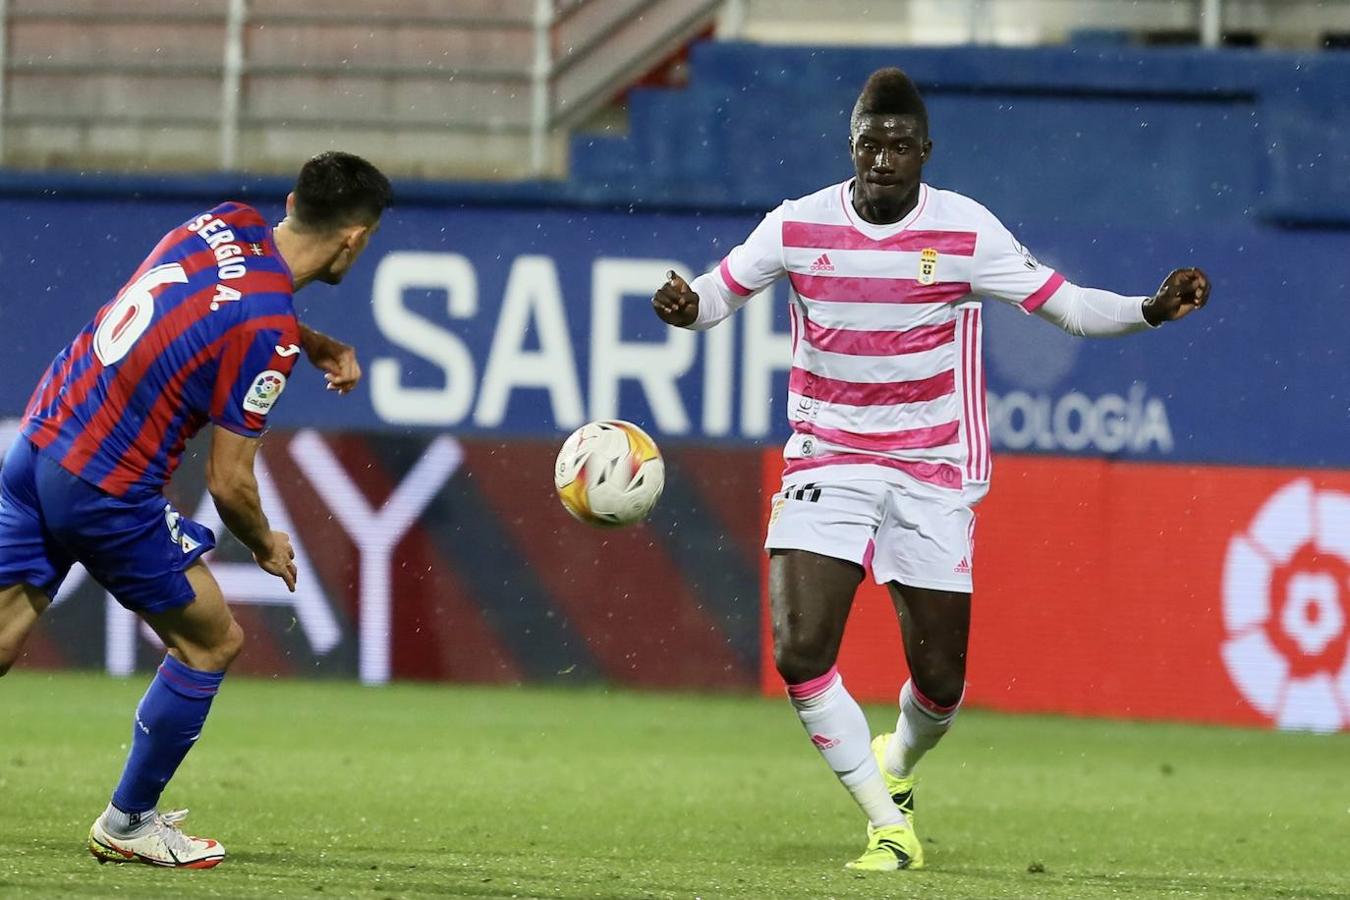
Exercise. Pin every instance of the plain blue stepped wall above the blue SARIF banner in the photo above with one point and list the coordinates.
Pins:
(1069, 134)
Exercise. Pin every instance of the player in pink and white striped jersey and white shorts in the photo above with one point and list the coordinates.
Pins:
(890, 447)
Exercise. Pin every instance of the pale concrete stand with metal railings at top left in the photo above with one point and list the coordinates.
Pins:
(473, 88)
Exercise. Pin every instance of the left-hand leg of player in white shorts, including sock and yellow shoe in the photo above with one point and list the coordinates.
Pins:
(811, 597)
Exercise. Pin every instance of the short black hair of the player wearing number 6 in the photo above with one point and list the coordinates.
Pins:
(335, 190)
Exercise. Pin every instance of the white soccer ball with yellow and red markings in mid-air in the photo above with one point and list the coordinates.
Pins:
(610, 473)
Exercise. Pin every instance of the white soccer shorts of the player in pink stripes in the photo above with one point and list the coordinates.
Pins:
(911, 532)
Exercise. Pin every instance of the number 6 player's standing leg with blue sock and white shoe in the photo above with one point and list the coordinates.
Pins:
(203, 640)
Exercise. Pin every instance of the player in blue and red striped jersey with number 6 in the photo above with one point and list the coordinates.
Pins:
(205, 333)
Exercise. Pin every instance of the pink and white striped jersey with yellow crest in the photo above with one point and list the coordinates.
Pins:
(888, 374)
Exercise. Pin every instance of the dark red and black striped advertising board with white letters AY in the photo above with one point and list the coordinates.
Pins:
(431, 558)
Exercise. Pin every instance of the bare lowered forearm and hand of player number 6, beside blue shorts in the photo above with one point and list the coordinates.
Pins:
(230, 478)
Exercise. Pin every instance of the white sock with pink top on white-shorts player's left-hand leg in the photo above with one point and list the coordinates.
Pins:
(838, 728)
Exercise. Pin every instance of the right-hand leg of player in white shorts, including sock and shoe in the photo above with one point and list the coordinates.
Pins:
(936, 627)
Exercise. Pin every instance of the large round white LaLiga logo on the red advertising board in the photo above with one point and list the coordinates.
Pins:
(1287, 609)
